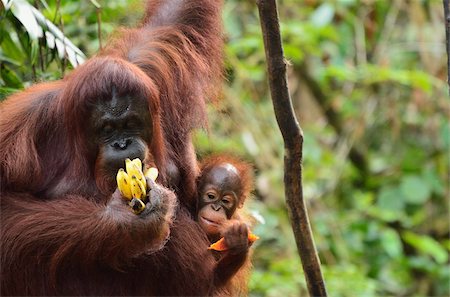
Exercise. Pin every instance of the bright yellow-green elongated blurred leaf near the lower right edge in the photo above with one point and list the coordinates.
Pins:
(426, 245)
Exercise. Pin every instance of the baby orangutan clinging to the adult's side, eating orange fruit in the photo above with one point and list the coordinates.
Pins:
(223, 185)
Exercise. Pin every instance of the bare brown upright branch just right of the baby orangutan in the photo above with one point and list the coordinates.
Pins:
(293, 143)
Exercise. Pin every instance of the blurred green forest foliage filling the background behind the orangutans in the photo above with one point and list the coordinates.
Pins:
(365, 75)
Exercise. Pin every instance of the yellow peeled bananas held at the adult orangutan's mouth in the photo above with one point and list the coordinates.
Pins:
(132, 183)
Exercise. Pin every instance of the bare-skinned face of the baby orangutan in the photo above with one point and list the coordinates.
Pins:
(219, 190)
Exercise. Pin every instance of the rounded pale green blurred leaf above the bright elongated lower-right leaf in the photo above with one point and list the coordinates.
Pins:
(415, 190)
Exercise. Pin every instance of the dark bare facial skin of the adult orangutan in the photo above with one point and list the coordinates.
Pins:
(122, 128)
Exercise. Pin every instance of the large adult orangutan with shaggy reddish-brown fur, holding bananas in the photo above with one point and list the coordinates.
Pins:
(65, 229)
